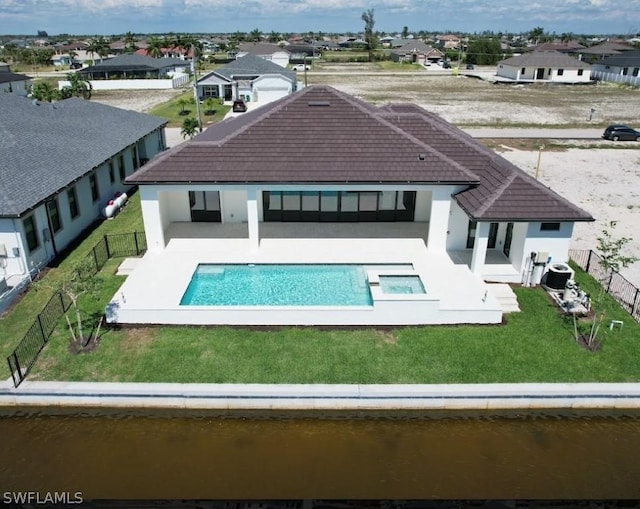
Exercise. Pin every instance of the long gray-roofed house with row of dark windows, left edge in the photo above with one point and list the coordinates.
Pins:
(60, 165)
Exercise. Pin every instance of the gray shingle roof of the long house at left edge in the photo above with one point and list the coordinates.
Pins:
(46, 146)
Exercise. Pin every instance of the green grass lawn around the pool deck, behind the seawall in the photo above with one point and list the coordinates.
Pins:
(535, 345)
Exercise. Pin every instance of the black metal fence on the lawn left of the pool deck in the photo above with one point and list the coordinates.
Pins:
(26, 353)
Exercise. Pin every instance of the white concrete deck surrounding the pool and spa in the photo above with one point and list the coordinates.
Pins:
(153, 290)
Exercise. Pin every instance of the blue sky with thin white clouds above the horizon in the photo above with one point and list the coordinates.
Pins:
(105, 17)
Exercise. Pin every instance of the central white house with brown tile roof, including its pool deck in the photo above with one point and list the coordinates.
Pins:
(452, 209)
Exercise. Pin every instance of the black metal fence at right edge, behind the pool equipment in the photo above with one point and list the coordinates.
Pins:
(624, 292)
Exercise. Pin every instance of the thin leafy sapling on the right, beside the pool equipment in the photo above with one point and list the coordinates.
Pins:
(611, 261)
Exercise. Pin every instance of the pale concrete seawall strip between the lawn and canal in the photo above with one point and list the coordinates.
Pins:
(526, 396)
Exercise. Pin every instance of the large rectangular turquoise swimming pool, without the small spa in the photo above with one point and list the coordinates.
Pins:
(278, 285)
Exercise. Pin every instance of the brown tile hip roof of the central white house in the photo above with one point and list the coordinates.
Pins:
(321, 135)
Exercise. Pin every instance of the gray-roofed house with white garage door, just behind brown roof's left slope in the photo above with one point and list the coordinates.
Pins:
(251, 78)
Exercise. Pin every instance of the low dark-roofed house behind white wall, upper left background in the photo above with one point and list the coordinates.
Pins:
(135, 66)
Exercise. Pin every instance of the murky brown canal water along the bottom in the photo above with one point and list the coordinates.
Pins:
(203, 455)
